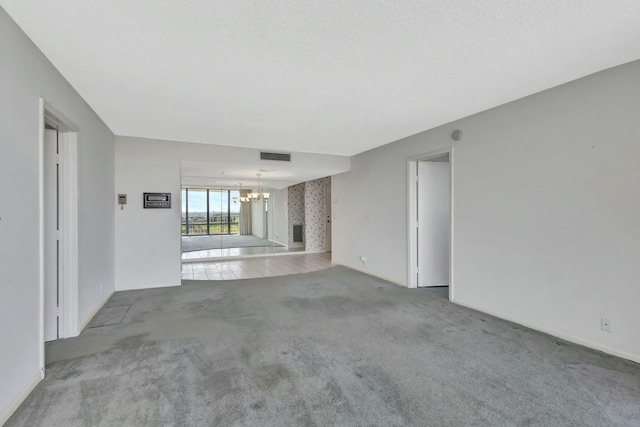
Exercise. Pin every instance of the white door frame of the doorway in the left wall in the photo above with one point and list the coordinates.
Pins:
(68, 214)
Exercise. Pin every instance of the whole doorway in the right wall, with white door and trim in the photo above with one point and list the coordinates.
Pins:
(430, 219)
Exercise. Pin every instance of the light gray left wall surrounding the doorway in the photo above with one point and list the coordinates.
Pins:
(26, 75)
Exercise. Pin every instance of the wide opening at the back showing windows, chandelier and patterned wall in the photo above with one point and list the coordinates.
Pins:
(256, 217)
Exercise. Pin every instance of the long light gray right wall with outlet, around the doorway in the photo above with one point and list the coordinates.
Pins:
(546, 208)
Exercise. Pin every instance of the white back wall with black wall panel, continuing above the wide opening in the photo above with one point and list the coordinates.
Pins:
(148, 240)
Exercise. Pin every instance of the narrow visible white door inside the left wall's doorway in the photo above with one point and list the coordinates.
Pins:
(51, 242)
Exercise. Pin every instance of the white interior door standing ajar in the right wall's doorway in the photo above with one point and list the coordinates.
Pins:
(433, 223)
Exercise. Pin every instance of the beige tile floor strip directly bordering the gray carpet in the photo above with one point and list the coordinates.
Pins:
(252, 268)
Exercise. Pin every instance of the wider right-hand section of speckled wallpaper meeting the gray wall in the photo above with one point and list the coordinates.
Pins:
(314, 213)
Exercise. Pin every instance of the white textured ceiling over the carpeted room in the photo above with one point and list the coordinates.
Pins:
(331, 76)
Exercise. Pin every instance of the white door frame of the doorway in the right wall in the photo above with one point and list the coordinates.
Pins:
(412, 215)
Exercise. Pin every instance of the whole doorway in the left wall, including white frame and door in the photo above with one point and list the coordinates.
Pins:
(58, 227)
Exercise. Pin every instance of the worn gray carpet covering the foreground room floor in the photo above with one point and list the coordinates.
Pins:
(334, 347)
